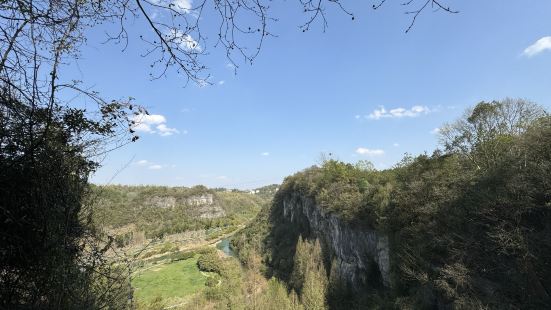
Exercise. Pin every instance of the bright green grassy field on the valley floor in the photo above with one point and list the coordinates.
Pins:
(169, 281)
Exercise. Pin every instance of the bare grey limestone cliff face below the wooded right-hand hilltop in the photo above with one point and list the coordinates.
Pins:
(354, 249)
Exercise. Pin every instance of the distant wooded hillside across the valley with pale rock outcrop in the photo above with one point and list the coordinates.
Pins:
(158, 211)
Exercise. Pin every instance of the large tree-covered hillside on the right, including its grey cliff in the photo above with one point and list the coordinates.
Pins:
(467, 227)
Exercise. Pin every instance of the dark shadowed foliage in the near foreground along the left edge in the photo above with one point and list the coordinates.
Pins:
(51, 254)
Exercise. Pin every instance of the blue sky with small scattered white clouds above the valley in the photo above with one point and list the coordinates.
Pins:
(363, 89)
